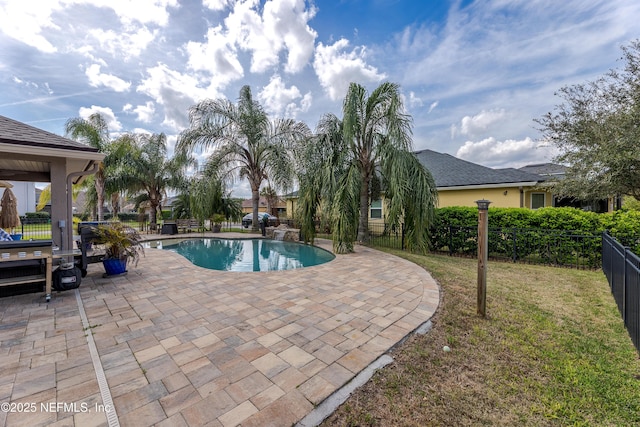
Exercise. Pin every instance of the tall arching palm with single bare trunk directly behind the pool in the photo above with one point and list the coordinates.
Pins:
(245, 140)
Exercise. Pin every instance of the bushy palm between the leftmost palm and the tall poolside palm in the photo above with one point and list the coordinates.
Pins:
(144, 170)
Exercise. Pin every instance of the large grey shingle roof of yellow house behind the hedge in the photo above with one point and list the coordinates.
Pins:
(449, 171)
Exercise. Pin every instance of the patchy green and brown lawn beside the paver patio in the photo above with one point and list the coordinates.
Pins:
(552, 351)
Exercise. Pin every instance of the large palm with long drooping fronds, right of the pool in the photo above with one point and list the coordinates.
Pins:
(369, 148)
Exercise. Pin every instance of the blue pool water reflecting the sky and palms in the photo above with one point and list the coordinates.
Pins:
(248, 254)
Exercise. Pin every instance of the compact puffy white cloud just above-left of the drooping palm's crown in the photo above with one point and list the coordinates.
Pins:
(336, 68)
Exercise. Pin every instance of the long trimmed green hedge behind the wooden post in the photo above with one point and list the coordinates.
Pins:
(554, 235)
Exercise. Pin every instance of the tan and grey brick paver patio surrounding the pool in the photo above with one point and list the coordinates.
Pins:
(181, 345)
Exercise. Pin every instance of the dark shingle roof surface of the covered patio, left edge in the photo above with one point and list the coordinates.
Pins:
(14, 132)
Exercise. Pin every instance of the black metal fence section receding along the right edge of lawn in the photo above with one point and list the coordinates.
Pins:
(622, 268)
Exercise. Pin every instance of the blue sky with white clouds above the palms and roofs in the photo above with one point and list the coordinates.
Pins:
(473, 74)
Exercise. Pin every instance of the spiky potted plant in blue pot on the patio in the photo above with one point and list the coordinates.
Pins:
(122, 245)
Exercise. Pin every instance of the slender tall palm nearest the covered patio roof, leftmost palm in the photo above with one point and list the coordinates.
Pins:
(94, 132)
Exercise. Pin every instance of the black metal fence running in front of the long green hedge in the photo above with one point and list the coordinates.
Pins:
(533, 246)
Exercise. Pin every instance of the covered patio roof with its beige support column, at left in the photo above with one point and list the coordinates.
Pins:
(34, 155)
